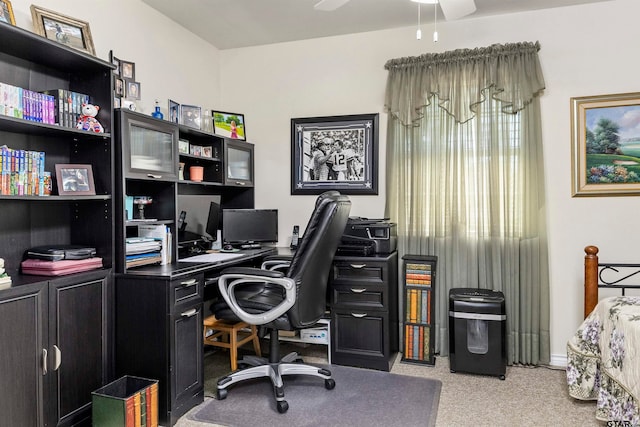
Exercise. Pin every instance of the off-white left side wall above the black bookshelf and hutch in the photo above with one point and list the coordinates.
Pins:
(171, 62)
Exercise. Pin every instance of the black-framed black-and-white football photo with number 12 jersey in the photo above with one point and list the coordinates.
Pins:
(335, 153)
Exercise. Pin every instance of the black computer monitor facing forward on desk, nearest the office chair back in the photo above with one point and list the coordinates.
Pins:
(243, 226)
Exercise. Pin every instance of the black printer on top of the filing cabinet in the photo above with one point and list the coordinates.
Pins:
(365, 237)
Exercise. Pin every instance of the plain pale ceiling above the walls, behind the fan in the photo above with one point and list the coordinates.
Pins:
(231, 24)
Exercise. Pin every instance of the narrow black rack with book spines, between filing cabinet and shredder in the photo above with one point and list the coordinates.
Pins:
(419, 274)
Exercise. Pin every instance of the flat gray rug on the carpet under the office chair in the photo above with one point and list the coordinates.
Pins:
(362, 397)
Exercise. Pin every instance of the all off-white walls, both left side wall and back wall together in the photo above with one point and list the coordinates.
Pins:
(585, 50)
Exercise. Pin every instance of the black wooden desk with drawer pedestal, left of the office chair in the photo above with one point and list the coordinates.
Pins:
(159, 322)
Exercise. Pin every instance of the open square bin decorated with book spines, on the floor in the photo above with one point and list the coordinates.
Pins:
(127, 401)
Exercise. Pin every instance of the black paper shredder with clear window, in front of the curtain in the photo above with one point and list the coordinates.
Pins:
(477, 332)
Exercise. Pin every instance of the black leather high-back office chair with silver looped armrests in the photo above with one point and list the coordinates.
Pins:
(288, 301)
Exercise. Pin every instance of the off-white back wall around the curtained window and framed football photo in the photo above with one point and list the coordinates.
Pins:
(585, 50)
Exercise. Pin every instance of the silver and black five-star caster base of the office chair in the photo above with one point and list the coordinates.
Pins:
(275, 370)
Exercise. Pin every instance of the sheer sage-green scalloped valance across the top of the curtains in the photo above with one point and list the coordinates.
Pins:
(460, 79)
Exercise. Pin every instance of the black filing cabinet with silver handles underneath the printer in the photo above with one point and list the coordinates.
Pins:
(364, 311)
